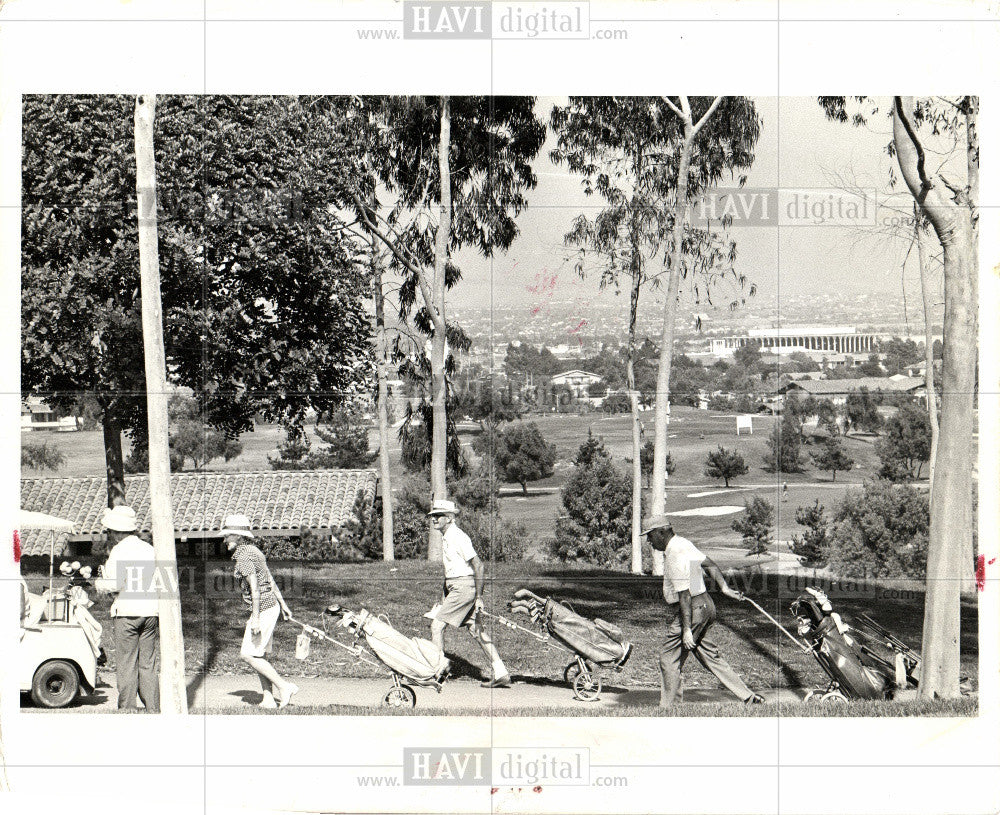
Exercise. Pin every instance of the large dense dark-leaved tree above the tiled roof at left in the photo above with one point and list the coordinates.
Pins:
(261, 302)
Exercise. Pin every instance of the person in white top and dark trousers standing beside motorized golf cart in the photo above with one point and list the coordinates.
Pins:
(135, 614)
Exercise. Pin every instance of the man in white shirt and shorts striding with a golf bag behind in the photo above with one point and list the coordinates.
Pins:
(463, 590)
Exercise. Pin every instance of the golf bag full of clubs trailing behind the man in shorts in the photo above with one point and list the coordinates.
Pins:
(597, 640)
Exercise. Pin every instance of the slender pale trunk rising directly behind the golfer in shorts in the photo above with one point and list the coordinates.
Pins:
(439, 437)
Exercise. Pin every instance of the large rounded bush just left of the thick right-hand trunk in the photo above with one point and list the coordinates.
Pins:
(880, 530)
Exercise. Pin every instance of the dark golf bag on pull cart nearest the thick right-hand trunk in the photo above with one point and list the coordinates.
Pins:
(855, 670)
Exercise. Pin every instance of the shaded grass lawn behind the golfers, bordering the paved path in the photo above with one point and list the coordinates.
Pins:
(214, 618)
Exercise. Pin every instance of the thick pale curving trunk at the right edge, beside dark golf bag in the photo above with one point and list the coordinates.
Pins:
(951, 502)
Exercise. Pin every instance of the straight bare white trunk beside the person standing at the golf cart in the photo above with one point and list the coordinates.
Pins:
(173, 692)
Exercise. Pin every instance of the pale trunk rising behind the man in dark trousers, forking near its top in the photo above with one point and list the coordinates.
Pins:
(662, 410)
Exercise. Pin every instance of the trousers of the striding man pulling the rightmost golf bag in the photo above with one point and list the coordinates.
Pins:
(707, 652)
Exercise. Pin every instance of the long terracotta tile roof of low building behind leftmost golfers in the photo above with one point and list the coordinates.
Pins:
(274, 501)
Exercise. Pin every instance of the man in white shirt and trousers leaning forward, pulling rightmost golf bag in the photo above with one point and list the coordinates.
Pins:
(692, 613)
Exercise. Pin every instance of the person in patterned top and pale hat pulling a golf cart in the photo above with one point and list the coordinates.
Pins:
(262, 595)
